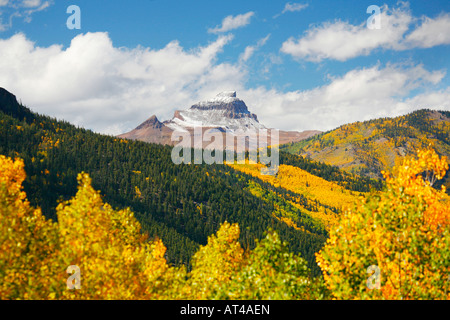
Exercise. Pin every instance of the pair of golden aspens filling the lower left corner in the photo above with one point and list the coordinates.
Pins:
(115, 259)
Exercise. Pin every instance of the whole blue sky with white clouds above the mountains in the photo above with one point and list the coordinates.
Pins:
(298, 65)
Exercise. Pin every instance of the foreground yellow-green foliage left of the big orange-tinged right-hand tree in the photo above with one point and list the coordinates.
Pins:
(117, 261)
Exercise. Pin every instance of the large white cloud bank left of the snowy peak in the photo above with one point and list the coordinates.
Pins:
(108, 89)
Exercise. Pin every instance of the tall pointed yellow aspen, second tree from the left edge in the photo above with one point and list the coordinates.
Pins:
(115, 259)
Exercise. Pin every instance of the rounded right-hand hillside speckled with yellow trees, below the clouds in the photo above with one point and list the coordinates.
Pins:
(369, 147)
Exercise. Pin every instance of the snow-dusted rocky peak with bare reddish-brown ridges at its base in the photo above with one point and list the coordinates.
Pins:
(224, 113)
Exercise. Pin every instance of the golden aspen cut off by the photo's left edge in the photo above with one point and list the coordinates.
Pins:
(27, 241)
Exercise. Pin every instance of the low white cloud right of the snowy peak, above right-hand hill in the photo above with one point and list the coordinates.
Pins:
(359, 95)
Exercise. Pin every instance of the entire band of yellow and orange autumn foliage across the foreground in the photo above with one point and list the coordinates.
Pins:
(402, 234)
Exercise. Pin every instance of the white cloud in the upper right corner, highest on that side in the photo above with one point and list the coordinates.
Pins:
(340, 40)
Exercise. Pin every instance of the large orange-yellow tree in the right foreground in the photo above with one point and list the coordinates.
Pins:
(403, 232)
